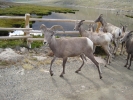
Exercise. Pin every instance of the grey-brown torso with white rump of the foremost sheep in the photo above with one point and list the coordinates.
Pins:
(73, 46)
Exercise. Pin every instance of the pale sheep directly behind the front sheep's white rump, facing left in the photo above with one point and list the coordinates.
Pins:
(98, 39)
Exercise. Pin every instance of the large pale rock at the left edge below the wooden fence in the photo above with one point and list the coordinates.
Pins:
(9, 56)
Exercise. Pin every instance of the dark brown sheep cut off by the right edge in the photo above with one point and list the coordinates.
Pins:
(128, 39)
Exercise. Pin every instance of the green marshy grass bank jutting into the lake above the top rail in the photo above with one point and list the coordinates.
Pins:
(21, 9)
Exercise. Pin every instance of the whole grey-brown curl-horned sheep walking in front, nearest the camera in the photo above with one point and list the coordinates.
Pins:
(68, 47)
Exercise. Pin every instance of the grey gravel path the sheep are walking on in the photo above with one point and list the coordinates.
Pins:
(16, 83)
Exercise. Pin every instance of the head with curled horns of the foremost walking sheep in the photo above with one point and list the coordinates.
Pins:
(49, 32)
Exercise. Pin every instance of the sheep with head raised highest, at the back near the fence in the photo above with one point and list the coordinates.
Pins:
(114, 30)
